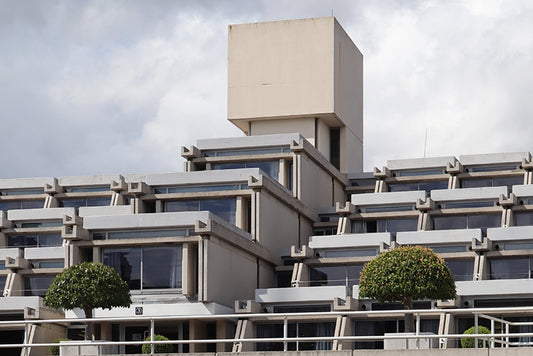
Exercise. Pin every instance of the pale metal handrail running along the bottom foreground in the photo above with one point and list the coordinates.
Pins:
(493, 338)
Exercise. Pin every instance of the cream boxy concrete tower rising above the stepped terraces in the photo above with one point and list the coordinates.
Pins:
(302, 76)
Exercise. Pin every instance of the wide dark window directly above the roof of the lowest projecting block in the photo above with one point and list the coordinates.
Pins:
(223, 208)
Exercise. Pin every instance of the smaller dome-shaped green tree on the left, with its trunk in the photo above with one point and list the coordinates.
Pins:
(87, 286)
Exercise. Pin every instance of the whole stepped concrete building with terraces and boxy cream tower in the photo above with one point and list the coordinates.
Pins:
(280, 220)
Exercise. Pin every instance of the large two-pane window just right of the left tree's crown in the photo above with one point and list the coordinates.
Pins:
(147, 267)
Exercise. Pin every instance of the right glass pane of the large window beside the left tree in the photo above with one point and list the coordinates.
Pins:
(162, 275)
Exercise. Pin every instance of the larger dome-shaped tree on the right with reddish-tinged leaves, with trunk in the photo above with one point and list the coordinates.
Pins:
(405, 274)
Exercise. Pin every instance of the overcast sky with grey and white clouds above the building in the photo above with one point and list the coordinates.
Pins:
(96, 87)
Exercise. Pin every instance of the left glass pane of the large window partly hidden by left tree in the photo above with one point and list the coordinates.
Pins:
(127, 263)
